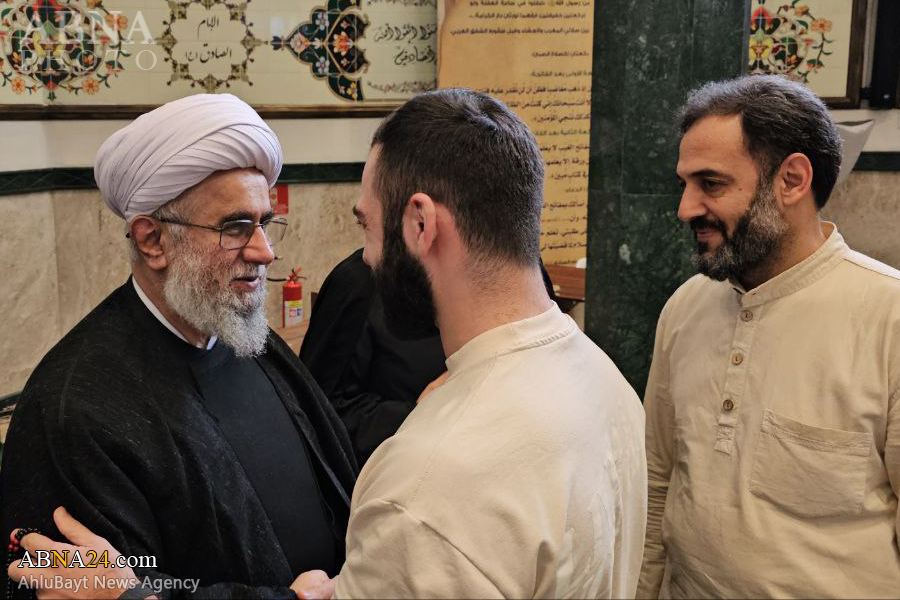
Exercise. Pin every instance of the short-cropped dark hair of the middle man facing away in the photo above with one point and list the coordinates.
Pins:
(471, 153)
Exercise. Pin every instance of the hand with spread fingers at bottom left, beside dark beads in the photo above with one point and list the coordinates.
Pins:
(78, 583)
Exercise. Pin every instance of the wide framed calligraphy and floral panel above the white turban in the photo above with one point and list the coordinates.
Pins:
(119, 58)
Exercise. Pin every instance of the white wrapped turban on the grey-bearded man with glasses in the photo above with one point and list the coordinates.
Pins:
(176, 146)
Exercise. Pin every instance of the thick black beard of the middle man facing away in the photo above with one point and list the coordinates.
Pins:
(405, 291)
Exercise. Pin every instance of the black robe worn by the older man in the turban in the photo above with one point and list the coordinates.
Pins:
(120, 423)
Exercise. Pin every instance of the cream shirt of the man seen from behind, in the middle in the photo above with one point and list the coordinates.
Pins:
(523, 476)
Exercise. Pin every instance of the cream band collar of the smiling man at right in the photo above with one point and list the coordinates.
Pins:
(801, 275)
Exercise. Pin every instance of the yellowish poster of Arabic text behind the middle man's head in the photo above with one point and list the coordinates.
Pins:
(535, 56)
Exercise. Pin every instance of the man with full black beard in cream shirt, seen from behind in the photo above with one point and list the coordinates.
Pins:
(523, 475)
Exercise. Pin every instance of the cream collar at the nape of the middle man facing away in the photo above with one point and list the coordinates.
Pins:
(519, 335)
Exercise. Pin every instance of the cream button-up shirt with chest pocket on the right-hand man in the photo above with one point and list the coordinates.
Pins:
(773, 435)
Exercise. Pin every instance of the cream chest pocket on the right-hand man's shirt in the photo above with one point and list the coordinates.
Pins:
(810, 471)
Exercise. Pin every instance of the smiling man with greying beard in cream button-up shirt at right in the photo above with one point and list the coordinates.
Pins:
(773, 431)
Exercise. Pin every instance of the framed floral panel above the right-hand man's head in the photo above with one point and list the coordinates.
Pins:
(817, 42)
